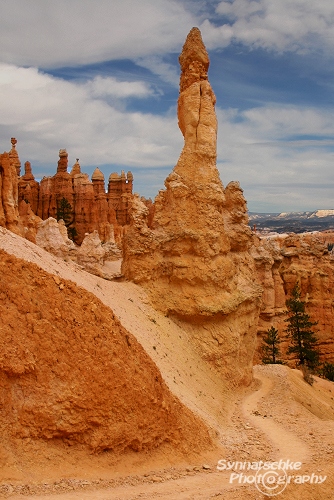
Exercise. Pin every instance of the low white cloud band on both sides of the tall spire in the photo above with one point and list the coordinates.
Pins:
(277, 153)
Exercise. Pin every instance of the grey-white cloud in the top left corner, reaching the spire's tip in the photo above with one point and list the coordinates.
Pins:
(75, 32)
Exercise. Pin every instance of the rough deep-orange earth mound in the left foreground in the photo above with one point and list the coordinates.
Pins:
(70, 371)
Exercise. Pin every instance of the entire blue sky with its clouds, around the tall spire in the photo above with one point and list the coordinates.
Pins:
(101, 80)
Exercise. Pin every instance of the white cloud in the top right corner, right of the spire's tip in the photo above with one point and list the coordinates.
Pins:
(284, 25)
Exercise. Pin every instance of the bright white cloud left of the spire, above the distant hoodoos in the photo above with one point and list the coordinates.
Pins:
(46, 114)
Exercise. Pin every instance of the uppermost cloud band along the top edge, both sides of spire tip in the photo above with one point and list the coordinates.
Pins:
(77, 32)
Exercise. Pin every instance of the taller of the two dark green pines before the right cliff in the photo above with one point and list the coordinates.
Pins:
(303, 338)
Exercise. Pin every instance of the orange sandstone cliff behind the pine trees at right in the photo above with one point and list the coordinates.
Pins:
(281, 262)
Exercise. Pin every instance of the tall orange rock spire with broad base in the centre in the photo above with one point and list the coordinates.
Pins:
(194, 257)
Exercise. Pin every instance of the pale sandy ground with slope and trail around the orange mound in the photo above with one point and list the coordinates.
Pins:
(279, 418)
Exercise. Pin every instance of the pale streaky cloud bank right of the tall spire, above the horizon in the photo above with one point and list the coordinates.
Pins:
(279, 155)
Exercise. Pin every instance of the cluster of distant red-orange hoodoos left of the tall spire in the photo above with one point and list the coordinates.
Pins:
(92, 208)
